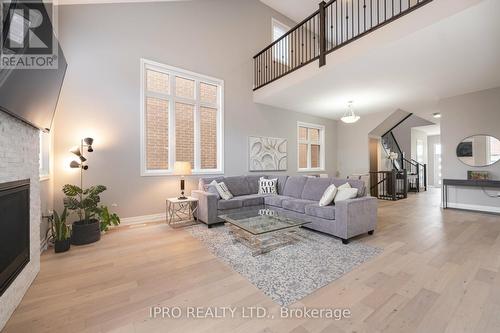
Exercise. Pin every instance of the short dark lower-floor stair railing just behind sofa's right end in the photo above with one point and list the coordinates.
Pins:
(389, 185)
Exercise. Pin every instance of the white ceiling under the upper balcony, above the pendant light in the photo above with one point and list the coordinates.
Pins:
(454, 56)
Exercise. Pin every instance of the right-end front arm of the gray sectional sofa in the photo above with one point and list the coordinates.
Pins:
(355, 216)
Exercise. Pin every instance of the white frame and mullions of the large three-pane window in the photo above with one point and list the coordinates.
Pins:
(172, 72)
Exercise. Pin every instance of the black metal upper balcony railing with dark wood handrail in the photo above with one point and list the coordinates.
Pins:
(333, 25)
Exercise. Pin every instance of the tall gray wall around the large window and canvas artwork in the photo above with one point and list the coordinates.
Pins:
(100, 97)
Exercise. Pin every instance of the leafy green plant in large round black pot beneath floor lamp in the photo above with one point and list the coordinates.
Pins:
(85, 203)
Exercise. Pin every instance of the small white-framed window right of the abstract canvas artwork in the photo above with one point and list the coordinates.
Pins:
(311, 147)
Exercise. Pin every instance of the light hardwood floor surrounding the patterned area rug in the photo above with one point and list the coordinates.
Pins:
(439, 272)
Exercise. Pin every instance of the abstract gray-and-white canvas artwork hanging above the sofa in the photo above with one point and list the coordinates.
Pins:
(267, 154)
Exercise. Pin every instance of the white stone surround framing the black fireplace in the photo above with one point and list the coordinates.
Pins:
(19, 158)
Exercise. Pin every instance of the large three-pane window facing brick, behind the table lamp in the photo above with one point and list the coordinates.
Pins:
(182, 115)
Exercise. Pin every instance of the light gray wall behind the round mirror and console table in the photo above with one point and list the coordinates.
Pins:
(463, 116)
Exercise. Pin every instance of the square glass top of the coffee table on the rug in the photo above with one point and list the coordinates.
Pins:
(261, 220)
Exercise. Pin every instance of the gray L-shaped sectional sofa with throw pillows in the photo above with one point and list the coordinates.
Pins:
(298, 197)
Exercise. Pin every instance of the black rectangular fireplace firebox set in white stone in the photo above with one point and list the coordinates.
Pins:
(14, 230)
